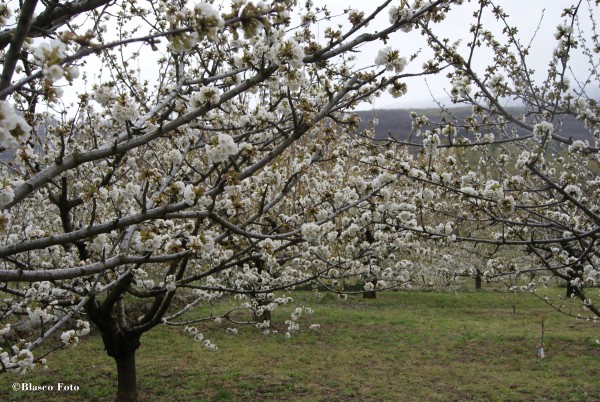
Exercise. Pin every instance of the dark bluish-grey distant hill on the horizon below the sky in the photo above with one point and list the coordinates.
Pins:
(397, 123)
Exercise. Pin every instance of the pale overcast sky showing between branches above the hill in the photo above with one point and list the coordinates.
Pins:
(524, 14)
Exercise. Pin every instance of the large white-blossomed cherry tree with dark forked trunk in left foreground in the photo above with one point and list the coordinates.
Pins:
(162, 148)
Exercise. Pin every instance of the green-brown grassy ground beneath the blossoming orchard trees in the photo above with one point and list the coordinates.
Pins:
(407, 346)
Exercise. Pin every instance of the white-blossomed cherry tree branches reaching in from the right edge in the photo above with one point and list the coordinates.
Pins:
(514, 177)
